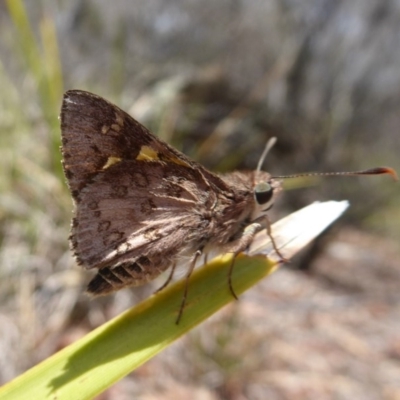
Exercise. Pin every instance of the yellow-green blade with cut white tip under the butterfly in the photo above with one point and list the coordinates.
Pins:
(93, 363)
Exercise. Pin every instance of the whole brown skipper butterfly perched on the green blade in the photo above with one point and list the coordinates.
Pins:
(142, 207)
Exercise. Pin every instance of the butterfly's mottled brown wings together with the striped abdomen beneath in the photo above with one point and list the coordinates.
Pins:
(137, 199)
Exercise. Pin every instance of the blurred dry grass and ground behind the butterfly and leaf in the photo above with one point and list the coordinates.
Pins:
(216, 80)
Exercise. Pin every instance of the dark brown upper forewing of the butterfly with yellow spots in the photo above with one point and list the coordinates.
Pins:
(96, 133)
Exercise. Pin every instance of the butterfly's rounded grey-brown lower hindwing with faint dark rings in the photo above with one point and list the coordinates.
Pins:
(134, 209)
